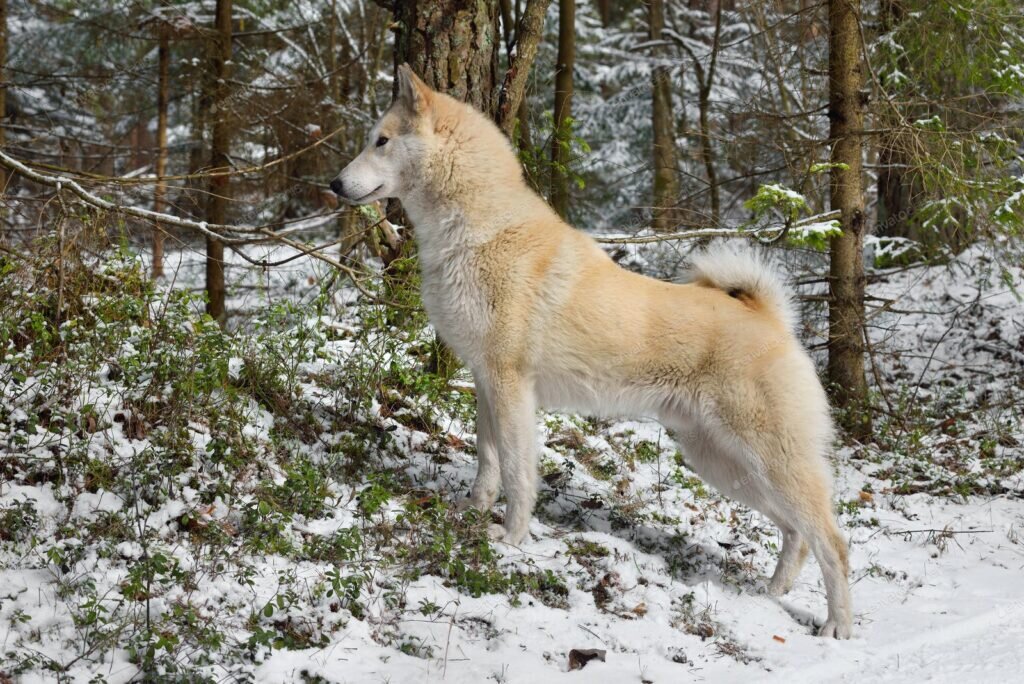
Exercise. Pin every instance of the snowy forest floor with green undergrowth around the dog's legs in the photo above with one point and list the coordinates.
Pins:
(275, 505)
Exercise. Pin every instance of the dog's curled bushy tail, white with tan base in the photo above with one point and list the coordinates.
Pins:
(741, 272)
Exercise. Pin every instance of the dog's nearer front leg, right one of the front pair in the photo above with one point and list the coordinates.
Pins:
(513, 404)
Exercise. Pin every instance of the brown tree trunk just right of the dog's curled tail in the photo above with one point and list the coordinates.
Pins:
(846, 312)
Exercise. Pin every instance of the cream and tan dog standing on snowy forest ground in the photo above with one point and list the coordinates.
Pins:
(545, 319)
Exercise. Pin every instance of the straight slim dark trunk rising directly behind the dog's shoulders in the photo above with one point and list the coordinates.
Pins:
(564, 107)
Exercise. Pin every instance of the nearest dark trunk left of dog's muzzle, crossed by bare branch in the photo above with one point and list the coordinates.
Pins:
(217, 208)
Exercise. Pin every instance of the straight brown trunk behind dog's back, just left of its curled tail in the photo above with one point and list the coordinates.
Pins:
(666, 174)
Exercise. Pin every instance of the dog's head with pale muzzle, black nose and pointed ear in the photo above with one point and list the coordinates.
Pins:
(400, 146)
